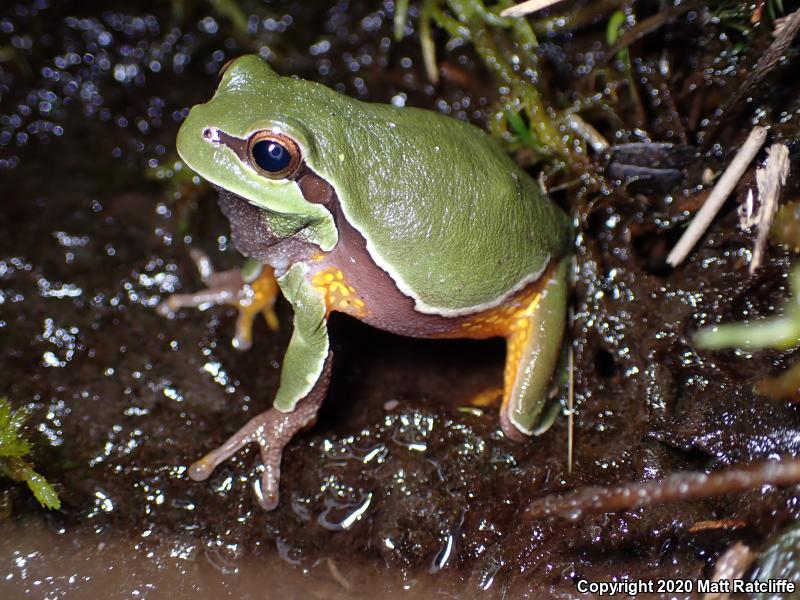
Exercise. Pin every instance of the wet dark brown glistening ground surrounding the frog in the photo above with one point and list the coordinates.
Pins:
(401, 486)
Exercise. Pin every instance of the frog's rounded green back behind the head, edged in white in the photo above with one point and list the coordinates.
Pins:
(453, 220)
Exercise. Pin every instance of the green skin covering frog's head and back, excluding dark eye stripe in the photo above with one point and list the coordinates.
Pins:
(456, 223)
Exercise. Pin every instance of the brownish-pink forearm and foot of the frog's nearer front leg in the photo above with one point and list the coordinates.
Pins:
(272, 431)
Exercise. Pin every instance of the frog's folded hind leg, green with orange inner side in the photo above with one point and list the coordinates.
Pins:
(533, 350)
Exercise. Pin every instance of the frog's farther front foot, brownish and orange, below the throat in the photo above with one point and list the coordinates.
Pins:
(250, 296)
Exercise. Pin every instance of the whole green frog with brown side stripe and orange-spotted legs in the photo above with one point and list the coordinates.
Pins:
(411, 221)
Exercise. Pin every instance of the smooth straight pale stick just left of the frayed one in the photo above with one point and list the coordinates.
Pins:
(717, 197)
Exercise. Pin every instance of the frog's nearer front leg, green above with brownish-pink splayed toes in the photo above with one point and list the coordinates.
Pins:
(303, 385)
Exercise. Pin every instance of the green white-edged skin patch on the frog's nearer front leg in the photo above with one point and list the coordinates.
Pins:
(308, 348)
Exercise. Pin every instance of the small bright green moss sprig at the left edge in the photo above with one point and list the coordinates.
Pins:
(13, 449)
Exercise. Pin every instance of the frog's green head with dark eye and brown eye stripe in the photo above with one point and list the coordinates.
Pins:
(250, 141)
